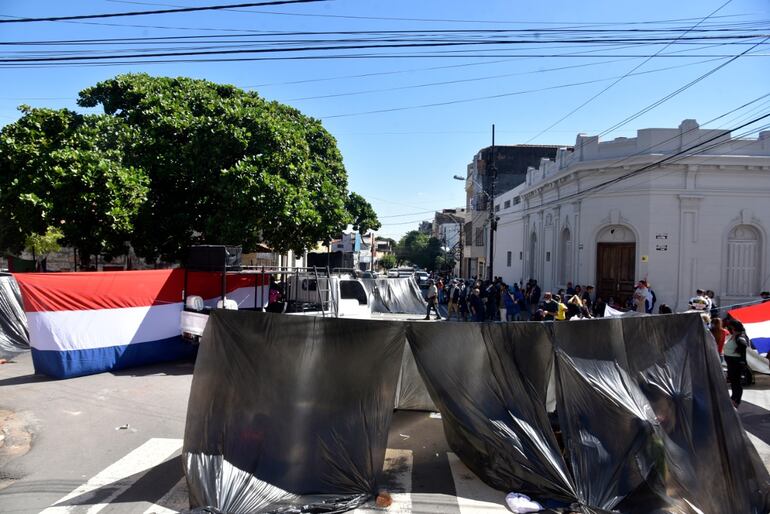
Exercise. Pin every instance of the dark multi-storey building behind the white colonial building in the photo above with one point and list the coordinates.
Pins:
(509, 170)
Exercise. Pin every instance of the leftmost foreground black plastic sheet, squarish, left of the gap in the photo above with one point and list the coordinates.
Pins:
(290, 411)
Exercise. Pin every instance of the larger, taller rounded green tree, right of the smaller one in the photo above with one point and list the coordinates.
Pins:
(226, 166)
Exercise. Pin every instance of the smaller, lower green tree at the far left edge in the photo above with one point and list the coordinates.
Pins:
(63, 172)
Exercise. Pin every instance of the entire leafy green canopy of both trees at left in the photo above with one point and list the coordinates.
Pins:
(174, 162)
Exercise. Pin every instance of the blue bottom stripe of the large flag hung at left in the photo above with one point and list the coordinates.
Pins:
(75, 363)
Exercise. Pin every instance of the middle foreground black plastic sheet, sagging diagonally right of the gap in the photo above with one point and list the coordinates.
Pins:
(489, 382)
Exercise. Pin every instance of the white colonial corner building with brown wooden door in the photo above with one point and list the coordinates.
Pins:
(685, 208)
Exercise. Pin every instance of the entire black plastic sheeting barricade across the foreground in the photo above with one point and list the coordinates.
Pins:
(287, 412)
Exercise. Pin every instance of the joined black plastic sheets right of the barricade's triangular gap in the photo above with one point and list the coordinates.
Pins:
(645, 419)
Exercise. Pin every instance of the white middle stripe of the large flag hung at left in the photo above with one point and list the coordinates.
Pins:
(102, 328)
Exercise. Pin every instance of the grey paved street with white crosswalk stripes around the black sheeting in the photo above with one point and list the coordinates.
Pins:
(111, 443)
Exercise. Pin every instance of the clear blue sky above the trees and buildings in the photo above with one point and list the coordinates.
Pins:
(440, 109)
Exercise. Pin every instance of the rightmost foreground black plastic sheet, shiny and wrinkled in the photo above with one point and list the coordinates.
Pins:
(650, 426)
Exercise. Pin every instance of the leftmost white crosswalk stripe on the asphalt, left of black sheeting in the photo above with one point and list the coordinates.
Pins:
(117, 477)
